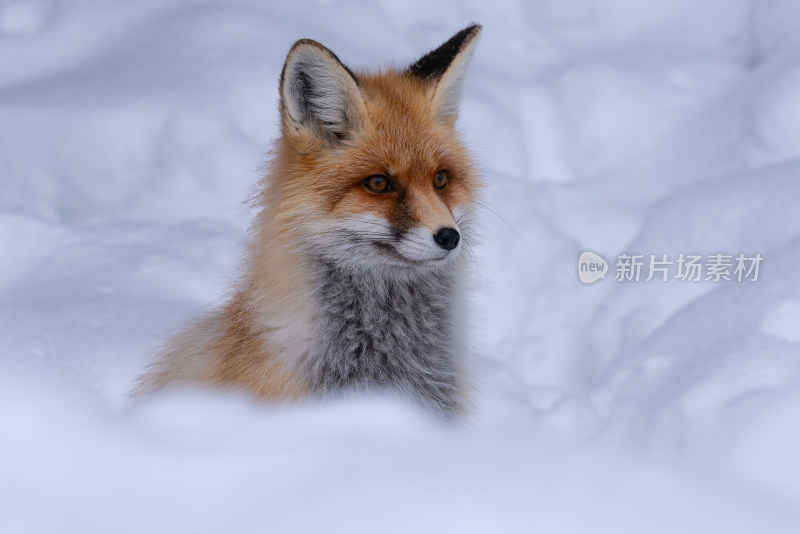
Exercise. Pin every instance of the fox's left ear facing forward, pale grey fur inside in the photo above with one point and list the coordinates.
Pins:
(319, 94)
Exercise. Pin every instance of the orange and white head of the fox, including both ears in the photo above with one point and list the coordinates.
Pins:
(371, 171)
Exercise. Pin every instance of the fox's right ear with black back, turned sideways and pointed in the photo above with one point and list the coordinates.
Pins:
(446, 67)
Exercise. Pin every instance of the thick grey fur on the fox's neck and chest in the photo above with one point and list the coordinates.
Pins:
(378, 332)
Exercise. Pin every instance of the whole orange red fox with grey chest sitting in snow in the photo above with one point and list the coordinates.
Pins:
(352, 276)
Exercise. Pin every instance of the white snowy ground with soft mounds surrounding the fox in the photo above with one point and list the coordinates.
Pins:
(131, 132)
